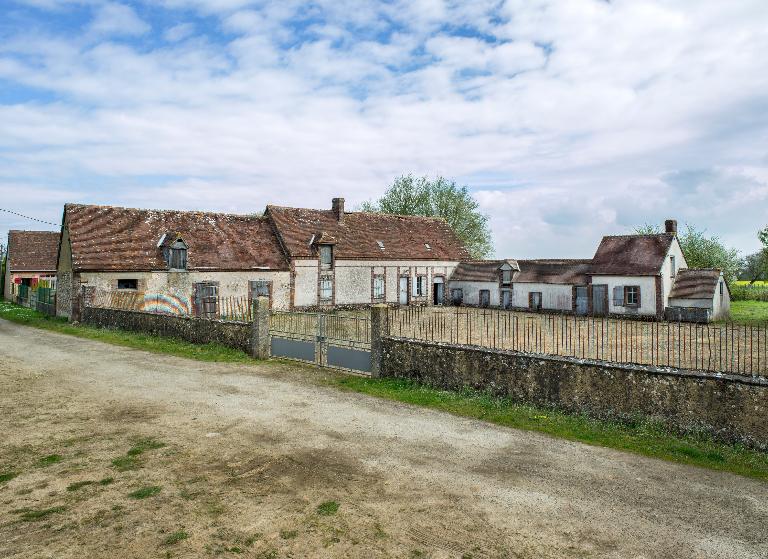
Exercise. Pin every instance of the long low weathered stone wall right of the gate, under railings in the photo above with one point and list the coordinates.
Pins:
(730, 407)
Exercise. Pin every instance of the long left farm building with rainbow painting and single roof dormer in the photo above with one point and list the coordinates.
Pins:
(178, 262)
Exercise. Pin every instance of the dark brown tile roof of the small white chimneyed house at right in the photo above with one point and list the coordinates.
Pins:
(631, 255)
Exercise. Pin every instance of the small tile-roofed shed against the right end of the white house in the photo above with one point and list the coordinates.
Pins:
(699, 295)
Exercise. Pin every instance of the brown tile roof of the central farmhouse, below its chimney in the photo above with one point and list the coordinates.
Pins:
(403, 237)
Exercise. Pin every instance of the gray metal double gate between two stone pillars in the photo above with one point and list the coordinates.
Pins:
(330, 340)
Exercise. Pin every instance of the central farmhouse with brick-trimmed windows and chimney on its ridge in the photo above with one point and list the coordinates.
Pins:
(340, 258)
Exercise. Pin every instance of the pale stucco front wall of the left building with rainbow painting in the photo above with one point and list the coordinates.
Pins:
(231, 284)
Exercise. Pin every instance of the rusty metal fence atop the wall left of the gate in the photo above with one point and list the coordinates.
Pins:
(236, 309)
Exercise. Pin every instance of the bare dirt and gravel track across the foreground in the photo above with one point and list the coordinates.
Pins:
(251, 451)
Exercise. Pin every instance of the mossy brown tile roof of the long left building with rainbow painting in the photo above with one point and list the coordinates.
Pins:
(108, 238)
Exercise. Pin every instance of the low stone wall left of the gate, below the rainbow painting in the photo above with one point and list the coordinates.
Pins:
(195, 330)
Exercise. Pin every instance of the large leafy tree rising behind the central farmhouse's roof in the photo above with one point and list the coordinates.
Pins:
(409, 195)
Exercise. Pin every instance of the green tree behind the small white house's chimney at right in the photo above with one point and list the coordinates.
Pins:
(701, 251)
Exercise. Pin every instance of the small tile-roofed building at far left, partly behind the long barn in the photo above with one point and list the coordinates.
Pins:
(31, 262)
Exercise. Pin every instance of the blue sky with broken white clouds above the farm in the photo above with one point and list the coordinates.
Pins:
(567, 120)
